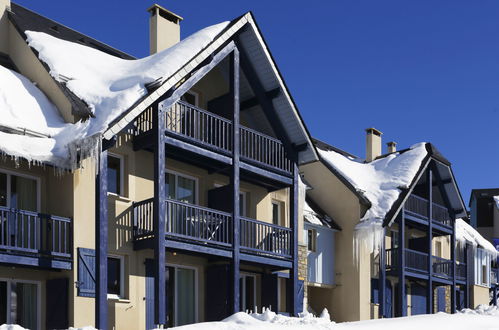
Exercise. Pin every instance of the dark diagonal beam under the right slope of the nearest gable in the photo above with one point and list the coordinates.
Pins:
(265, 103)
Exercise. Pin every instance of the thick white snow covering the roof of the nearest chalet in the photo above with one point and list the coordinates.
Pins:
(108, 84)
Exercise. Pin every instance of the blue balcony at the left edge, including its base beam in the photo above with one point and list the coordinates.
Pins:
(35, 239)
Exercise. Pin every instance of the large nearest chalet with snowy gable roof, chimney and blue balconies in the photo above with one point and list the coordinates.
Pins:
(145, 192)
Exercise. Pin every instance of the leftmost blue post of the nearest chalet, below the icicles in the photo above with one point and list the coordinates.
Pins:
(101, 237)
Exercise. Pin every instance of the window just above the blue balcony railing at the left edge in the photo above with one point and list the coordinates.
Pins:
(19, 192)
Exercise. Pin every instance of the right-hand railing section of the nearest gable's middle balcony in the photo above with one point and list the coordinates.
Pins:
(259, 236)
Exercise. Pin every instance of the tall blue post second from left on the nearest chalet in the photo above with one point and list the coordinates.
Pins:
(159, 216)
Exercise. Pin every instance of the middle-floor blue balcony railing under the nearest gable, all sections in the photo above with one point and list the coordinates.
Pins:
(203, 226)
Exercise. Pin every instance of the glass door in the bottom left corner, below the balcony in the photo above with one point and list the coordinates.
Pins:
(19, 303)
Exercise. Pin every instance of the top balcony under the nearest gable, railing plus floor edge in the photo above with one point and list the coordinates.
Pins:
(192, 129)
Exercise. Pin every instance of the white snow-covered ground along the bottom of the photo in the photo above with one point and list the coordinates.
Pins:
(483, 318)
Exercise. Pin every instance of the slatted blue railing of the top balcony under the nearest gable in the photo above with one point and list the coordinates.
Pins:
(212, 132)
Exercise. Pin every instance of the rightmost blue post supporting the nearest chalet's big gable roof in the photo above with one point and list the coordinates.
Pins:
(294, 241)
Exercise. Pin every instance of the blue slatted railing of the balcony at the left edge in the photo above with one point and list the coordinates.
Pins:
(35, 233)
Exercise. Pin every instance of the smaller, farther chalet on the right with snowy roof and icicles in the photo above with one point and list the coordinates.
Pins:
(405, 200)
